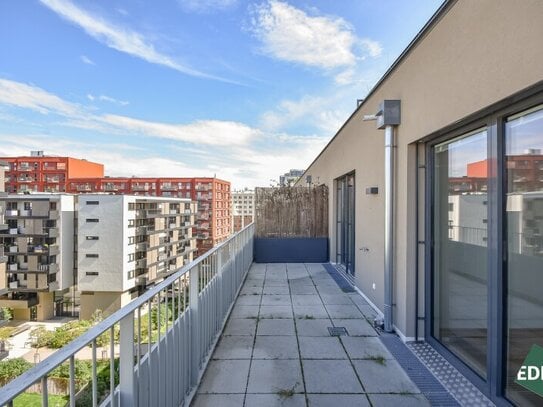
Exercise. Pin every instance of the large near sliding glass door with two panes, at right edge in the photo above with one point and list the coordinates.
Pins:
(485, 258)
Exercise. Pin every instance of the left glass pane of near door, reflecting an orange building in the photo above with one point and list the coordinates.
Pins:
(460, 247)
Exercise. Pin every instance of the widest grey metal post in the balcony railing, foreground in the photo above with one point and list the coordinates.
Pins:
(126, 362)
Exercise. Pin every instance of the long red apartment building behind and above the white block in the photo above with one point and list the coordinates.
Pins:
(213, 218)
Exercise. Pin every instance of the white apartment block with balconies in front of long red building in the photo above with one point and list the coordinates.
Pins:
(127, 243)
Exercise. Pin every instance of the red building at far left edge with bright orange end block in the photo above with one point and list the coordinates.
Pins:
(42, 173)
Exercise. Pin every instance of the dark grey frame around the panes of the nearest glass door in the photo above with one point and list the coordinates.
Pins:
(493, 119)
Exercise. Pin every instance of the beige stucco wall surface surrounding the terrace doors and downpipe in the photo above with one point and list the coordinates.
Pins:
(477, 54)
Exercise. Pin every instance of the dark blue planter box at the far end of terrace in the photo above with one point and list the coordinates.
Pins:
(291, 250)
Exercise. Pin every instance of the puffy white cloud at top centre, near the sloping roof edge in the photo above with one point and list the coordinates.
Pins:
(288, 33)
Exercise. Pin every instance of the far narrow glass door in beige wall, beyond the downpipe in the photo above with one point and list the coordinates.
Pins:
(345, 201)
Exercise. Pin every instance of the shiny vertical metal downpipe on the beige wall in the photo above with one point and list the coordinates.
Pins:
(390, 154)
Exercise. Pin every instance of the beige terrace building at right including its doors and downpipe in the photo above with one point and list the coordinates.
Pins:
(435, 209)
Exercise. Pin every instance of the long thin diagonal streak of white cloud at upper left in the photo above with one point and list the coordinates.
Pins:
(119, 38)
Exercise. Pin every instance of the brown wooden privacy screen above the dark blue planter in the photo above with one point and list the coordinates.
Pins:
(288, 212)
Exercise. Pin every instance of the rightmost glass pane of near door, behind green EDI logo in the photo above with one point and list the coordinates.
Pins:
(524, 171)
